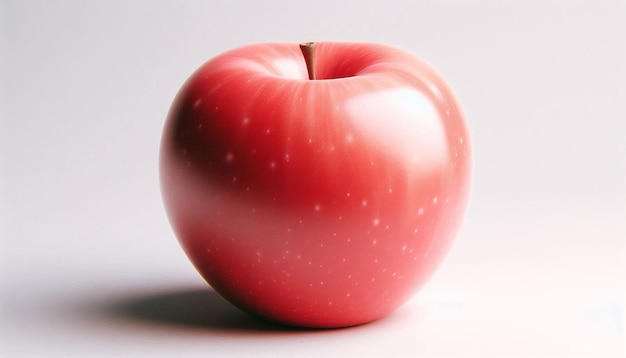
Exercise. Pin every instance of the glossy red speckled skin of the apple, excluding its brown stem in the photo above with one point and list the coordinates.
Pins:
(316, 203)
